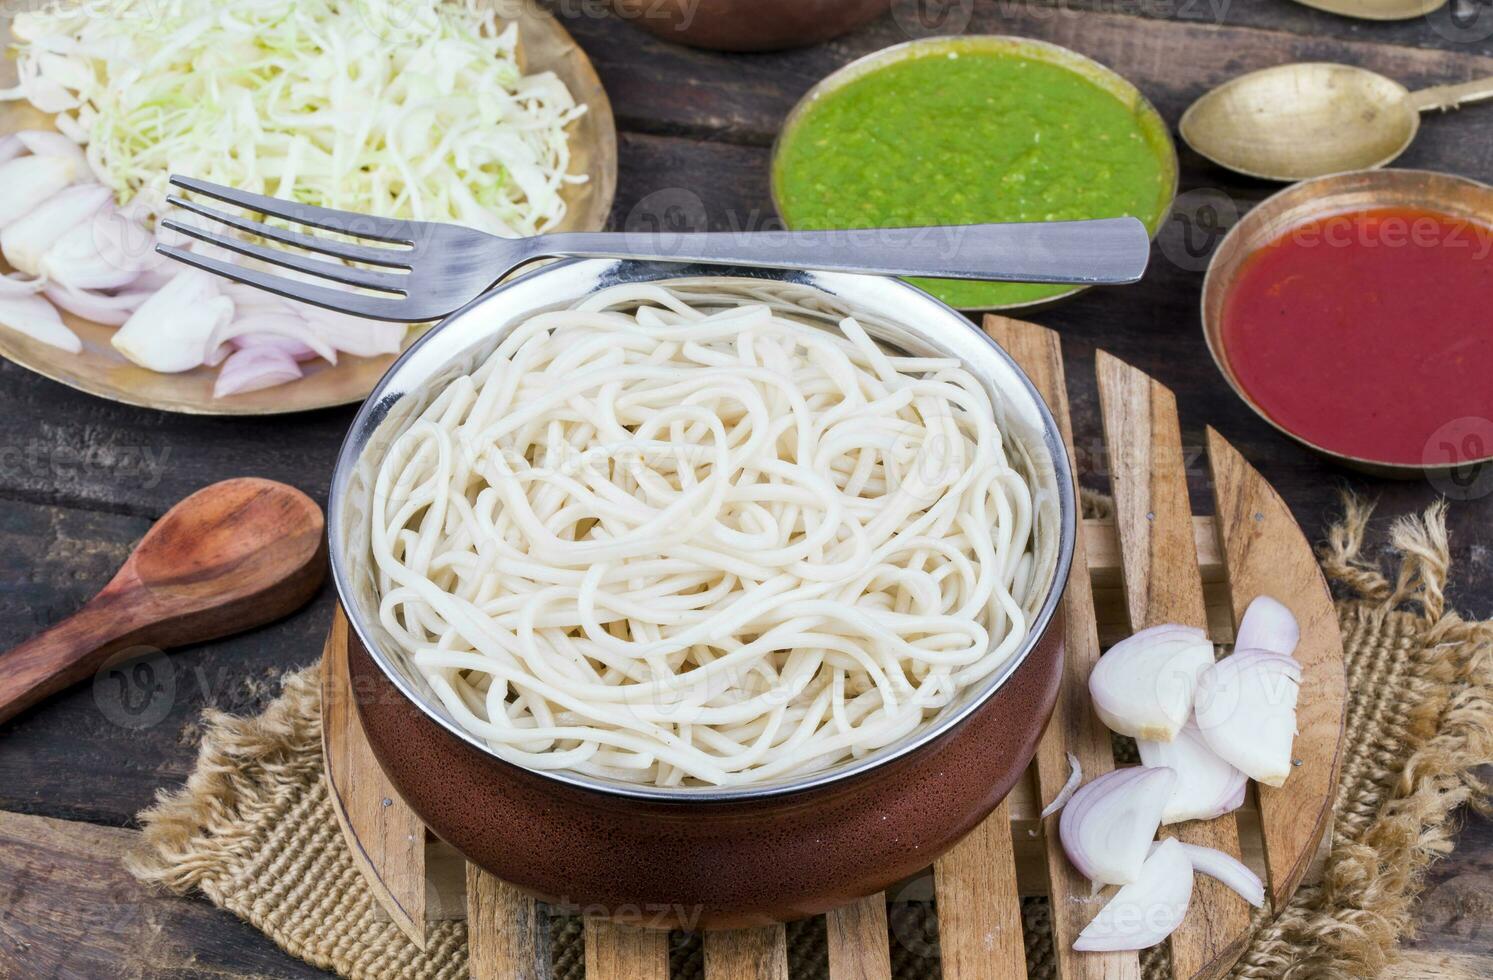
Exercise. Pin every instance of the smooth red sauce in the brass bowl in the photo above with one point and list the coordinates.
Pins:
(1368, 332)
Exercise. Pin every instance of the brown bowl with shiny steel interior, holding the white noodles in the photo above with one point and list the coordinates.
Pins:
(705, 857)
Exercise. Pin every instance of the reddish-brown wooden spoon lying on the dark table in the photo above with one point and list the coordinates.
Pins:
(231, 556)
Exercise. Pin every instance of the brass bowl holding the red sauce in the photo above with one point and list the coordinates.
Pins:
(1324, 198)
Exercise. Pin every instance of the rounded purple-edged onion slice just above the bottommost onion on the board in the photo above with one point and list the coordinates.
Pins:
(1110, 824)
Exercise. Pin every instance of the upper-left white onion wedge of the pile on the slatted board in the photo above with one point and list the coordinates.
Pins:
(1144, 685)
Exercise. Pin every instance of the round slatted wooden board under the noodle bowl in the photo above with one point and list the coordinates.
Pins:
(1155, 562)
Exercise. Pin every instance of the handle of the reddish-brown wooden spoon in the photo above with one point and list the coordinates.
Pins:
(66, 654)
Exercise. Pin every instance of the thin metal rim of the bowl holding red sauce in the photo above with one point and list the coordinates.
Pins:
(1261, 213)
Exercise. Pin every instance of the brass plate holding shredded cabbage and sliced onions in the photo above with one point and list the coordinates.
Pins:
(101, 370)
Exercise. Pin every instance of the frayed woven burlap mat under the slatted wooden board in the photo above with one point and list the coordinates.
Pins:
(255, 833)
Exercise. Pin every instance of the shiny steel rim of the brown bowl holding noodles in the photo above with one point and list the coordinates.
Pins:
(611, 273)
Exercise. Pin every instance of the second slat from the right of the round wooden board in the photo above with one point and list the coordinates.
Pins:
(1164, 585)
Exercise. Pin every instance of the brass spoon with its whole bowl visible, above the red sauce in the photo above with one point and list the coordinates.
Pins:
(1298, 122)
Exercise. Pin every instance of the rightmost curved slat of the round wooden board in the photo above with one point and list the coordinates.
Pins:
(1268, 555)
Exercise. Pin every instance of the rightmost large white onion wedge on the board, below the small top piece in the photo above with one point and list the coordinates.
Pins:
(1247, 712)
